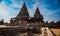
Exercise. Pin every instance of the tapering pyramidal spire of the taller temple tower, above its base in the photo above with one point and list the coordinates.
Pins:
(23, 12)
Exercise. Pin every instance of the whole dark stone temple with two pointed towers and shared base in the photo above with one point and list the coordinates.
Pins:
(23, 18)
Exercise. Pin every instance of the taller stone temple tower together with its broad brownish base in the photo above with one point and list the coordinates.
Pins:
(22, 17)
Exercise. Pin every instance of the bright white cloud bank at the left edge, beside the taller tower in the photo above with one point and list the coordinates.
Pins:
(6, 11)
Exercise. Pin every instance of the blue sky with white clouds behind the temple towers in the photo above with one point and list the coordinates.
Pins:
(50, 9)
